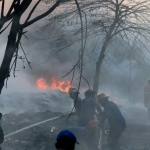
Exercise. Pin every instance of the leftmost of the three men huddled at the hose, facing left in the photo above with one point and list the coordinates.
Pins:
(73, 92)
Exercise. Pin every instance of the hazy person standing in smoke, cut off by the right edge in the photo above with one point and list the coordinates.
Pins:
(147, 97)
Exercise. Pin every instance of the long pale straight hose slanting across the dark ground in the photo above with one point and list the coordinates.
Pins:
(36, 124)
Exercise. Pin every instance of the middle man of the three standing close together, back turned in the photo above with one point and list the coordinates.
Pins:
(87, 108)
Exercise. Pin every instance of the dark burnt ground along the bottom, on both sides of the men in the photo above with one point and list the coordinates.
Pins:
(136, 136)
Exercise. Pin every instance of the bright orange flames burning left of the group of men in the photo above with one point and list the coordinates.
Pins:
(55, 84)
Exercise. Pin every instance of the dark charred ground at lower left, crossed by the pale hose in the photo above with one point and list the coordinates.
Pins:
(35, 138)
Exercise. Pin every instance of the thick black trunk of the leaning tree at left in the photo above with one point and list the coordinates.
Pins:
(11, 43)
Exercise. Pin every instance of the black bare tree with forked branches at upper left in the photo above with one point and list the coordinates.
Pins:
(14, 14)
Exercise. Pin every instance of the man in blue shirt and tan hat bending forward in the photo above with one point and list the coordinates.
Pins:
(115, 119)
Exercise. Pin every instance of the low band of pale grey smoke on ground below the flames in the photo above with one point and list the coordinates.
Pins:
(35, 102)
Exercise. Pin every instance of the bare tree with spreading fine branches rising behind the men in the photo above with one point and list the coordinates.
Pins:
(123, 19)
